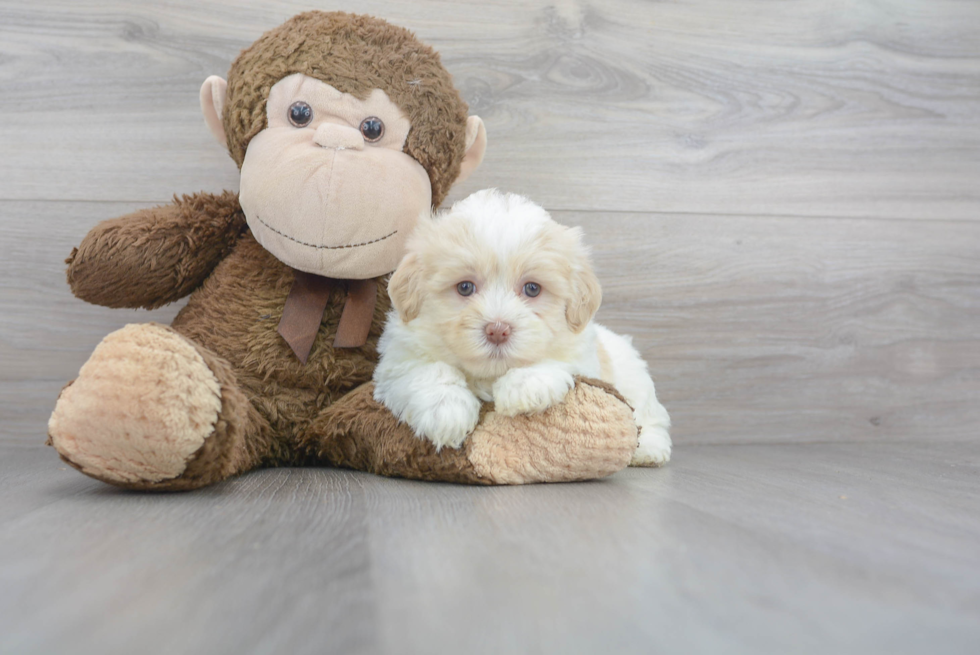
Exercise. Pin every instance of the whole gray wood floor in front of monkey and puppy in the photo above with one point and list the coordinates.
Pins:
(844, 548)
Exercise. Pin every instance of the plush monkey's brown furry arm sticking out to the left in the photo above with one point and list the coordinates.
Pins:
(155, 256)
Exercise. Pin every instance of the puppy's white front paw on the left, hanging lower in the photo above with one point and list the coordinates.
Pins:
(446, 416)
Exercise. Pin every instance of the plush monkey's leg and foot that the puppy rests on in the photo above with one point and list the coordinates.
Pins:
(590, 435)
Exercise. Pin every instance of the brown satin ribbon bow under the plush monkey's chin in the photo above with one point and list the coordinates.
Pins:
(307, 300)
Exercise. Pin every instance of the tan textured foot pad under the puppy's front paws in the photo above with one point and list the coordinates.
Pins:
(590, 435)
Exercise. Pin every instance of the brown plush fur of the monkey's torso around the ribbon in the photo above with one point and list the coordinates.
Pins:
(235, 313)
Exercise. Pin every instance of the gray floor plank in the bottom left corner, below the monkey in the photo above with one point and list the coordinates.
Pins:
(202, 593)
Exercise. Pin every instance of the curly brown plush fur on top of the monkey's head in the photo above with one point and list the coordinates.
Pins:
(354, 54)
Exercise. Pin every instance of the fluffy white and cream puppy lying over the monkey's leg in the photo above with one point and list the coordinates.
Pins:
(494, 301)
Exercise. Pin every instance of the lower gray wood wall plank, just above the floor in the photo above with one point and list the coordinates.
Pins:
(756, 329)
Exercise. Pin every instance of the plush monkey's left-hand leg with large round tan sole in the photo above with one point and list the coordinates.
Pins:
(151, 409)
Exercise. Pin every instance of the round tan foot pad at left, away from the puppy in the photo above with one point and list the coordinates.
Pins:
(143, 403)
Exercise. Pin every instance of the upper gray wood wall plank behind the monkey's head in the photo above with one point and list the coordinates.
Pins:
(806, 108)
